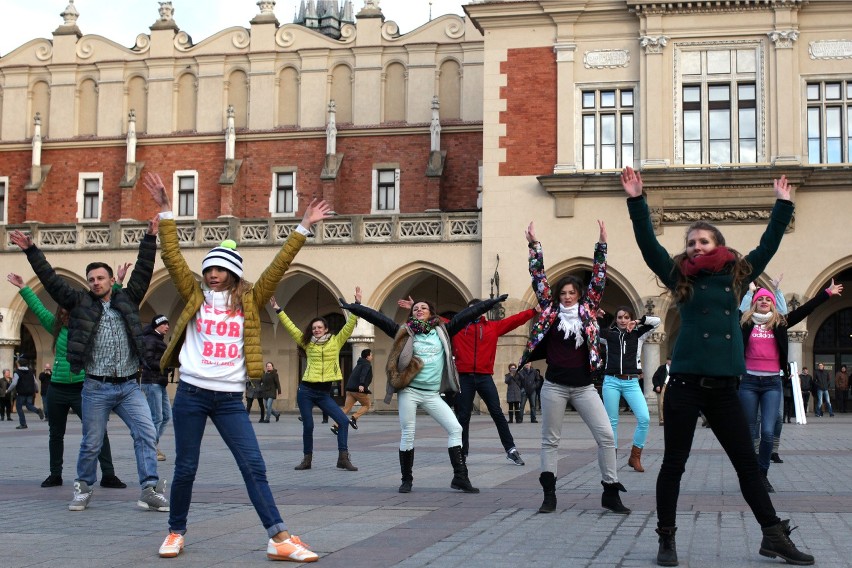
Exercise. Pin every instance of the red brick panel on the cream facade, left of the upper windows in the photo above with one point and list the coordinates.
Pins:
(530, 115)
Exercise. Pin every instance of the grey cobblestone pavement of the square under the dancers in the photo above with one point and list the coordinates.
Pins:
(358, 519)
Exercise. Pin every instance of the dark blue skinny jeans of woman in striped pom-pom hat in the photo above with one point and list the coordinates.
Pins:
(193, 406)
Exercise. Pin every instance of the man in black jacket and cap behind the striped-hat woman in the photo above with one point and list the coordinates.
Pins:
(154, 379)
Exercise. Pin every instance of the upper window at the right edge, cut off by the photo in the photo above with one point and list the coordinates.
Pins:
(829, 122)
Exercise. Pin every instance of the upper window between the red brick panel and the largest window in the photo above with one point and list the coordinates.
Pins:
(607, 122)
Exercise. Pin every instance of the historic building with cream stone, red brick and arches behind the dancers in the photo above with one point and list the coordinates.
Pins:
(436, 148)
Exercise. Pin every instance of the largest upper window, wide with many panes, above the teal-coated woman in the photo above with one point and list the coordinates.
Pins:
(719, 104)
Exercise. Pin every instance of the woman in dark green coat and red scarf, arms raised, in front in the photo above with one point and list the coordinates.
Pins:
(706, 280)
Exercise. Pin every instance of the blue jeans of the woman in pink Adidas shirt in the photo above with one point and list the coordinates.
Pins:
(765, 393)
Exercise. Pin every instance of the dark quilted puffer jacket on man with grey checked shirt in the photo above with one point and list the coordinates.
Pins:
(86, 309)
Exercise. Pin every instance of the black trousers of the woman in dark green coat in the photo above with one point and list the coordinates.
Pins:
(685, 397)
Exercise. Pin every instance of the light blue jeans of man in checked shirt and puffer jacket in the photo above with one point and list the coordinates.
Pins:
(126, 400)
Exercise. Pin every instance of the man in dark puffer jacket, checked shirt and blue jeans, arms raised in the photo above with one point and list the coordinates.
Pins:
(105, 338)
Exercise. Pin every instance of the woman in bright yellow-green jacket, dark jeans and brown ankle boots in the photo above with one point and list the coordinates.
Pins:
(322, 349)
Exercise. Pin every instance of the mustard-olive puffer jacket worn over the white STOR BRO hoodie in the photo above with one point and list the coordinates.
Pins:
(191, 293)
